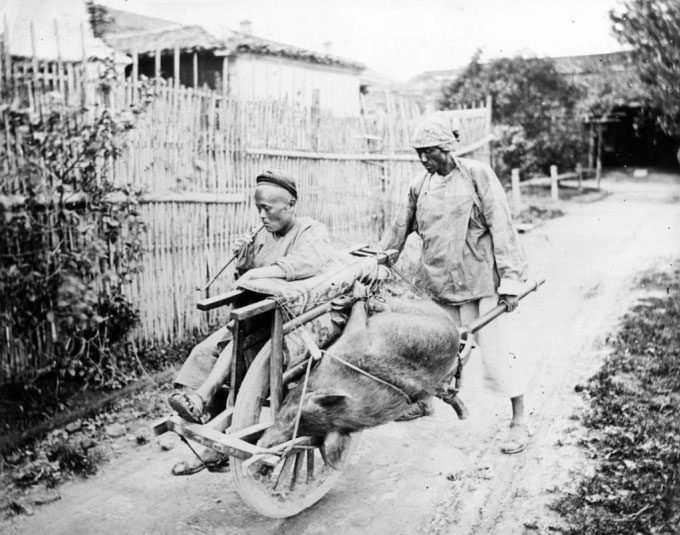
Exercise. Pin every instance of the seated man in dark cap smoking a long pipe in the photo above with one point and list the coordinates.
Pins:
(293, 248)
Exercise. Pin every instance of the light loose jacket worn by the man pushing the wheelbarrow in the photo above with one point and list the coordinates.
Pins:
(470, 247)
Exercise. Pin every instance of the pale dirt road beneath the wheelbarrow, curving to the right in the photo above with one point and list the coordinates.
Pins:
(437, 474)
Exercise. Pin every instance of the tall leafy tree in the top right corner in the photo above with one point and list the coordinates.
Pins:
(652, 29)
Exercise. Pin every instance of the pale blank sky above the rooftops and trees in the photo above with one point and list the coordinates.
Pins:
(402, 38)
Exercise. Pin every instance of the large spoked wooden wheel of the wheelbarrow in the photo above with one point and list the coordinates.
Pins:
(297, 482)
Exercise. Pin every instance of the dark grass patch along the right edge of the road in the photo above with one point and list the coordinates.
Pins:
(635, 424)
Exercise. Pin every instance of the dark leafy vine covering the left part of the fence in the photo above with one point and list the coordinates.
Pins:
(72, 240)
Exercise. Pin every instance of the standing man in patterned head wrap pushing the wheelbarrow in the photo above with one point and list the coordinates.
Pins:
(471, 257)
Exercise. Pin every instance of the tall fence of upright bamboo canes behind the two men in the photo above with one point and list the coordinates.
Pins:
(196, 154)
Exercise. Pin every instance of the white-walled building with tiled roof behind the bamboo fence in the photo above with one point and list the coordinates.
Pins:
(239, 64)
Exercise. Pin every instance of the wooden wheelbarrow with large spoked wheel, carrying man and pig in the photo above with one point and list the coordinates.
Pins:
(283, 480)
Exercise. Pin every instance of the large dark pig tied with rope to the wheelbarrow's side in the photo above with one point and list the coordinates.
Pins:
(413, 345)
